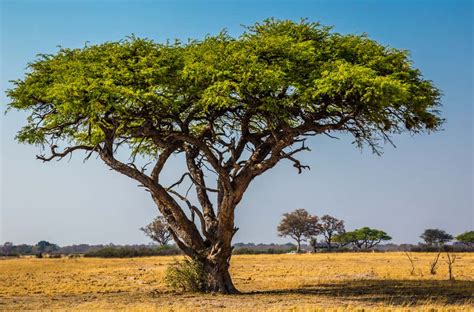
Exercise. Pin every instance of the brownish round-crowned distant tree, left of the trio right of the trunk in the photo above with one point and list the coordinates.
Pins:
(299, 225)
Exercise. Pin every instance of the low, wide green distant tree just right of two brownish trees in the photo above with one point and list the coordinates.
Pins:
(363, 238)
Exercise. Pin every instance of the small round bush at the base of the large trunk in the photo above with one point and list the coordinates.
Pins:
(186, 275)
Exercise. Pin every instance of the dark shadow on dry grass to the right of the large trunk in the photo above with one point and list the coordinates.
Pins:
(394, 292)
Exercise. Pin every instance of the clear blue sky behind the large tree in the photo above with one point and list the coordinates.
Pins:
(426, 182)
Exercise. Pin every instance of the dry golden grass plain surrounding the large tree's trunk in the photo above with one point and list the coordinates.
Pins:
(309, 282)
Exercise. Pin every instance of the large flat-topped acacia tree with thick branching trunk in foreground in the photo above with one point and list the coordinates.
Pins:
(233, 107)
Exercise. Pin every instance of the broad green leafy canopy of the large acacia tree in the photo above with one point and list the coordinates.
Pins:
(287, 74)
